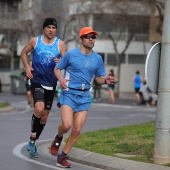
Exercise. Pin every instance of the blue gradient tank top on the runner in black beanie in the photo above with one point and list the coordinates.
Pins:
(43, 62)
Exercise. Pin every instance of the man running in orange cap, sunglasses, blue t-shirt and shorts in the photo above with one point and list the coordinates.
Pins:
(81, 65)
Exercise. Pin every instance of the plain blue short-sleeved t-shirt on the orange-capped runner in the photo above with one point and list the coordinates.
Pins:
(80, 68)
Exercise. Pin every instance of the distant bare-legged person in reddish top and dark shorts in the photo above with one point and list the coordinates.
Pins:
(111, 88)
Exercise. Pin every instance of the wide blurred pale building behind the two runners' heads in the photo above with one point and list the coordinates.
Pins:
(123, 27)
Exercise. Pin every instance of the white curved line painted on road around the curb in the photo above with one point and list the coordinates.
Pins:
(17, 152)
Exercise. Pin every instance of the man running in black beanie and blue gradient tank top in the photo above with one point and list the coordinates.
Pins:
(47, 50)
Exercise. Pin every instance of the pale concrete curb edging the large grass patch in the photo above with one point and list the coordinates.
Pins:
(99, 160)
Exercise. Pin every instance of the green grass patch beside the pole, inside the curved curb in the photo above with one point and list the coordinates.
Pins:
(134, 142)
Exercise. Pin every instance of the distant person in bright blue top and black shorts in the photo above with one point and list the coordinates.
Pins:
(137, 80)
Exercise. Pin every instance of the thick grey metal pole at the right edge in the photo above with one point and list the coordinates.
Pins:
(162, 127)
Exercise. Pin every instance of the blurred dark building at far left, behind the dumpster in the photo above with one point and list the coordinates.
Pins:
(9, 33)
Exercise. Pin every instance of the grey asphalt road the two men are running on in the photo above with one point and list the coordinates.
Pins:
(15, 130)
